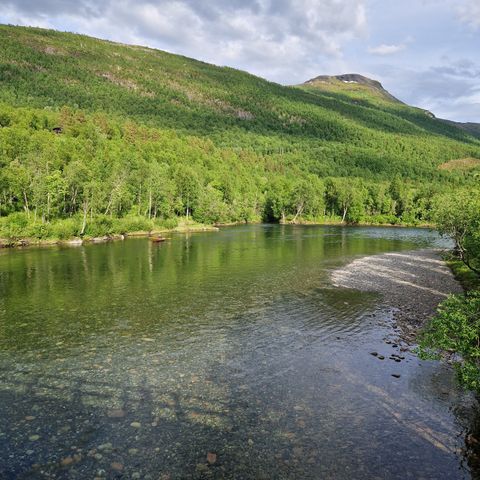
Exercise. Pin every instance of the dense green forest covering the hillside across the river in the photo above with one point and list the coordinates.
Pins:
(99, 138)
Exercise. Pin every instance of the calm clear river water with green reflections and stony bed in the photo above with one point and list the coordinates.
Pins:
(135, 360)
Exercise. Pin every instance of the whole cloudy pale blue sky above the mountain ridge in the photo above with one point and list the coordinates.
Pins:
(425, 52)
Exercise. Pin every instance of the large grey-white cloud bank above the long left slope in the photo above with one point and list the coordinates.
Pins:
(283, 40)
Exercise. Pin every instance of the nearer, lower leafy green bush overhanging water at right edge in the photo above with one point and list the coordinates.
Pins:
(455, 331)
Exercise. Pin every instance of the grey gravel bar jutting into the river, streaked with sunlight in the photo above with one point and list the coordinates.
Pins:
(412, 283)
